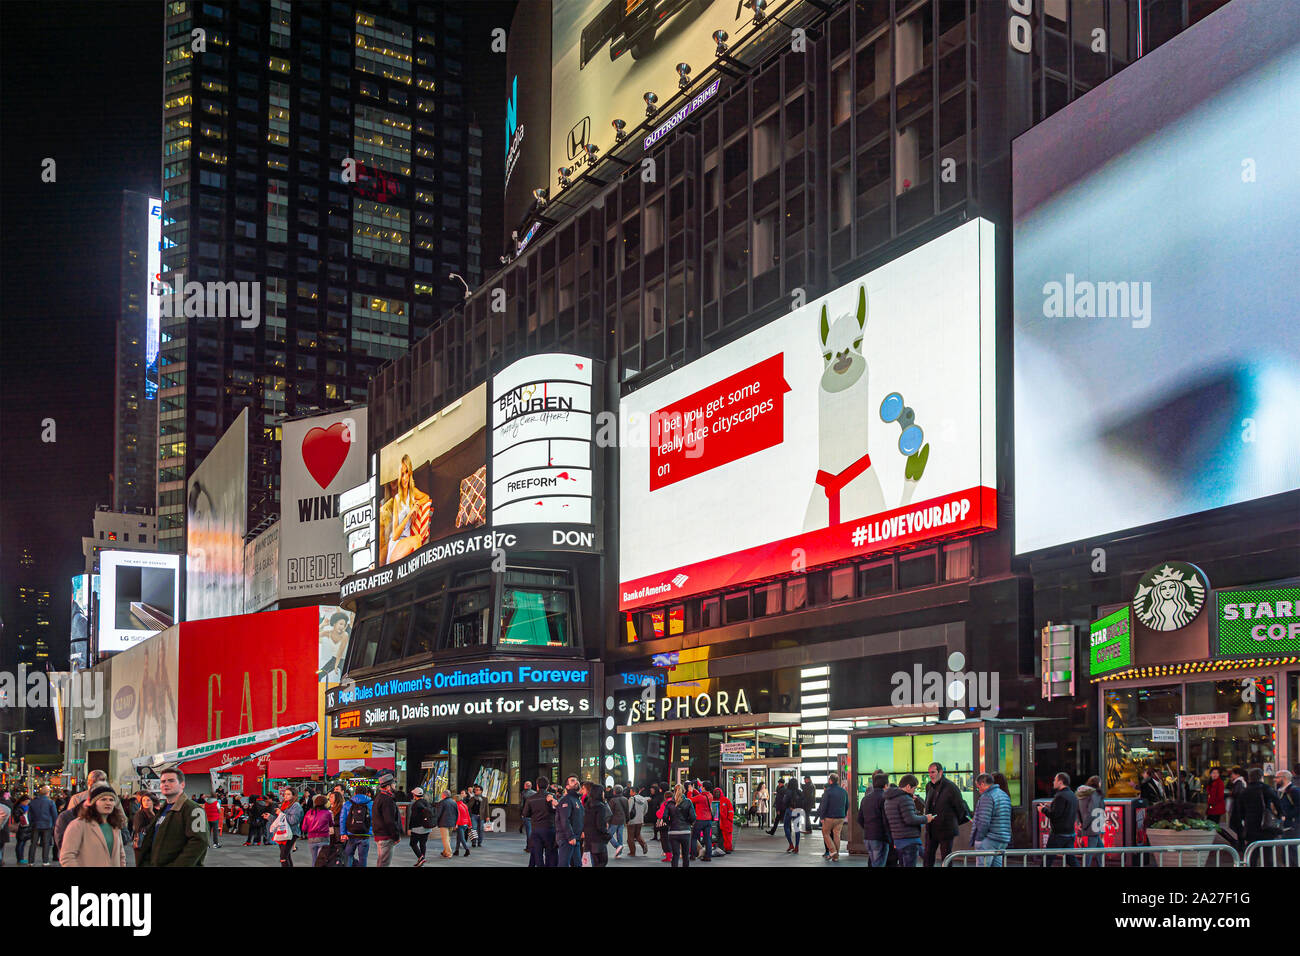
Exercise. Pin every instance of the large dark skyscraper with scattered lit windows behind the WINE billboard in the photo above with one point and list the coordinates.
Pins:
(315, 181)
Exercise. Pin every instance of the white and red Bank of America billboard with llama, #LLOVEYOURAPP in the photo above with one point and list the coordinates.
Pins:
(857, 425)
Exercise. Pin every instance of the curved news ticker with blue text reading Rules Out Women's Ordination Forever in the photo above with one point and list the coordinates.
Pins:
(449, 681)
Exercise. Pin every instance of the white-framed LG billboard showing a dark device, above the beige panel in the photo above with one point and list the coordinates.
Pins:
(141, 594)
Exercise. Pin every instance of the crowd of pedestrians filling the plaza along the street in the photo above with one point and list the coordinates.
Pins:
(580, 824)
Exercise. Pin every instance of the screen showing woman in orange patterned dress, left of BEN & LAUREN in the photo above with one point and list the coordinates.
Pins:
(434, 481)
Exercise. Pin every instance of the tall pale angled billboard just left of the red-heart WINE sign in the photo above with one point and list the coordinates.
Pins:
(216, 520)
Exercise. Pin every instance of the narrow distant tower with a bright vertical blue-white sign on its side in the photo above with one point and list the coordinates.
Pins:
(136, 369)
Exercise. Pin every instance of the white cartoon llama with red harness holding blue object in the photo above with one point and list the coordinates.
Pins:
(847, 486)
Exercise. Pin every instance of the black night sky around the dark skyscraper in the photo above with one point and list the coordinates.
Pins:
(83, 84)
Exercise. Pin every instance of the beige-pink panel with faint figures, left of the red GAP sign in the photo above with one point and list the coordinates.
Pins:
(145, 687)
